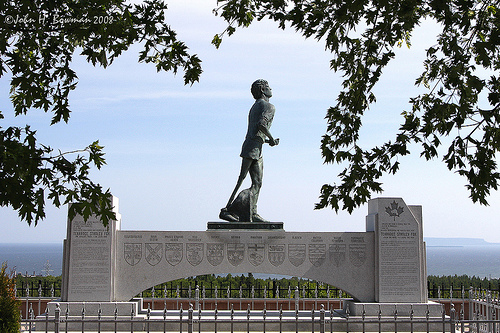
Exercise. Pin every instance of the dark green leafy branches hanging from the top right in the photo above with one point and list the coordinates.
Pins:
(462, 99)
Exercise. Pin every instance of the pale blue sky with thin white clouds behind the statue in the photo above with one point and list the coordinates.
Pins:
(172, 151)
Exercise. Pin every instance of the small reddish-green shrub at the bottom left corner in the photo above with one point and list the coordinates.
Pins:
(10, 317)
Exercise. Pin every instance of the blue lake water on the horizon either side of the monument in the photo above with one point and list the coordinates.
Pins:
(478, 260)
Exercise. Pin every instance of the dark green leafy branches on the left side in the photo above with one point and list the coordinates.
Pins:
(38, 40)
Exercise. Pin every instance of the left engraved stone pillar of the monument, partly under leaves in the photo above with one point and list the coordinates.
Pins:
(89, 259)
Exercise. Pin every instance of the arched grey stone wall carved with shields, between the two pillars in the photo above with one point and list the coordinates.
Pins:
(347, 265)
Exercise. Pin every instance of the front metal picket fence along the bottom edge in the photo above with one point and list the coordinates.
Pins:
(259, 321)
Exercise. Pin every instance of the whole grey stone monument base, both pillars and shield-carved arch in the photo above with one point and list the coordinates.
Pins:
(385, 264)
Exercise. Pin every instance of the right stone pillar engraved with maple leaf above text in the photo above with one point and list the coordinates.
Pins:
(400, 269)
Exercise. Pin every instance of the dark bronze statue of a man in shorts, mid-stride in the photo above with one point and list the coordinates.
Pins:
(260, 118)
